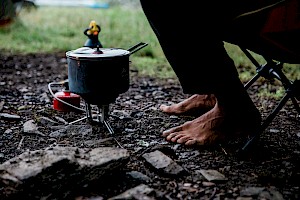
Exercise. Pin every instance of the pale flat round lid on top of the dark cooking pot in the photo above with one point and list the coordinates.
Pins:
(87, 52)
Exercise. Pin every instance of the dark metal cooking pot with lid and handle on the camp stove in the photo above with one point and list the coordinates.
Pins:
(99, 75)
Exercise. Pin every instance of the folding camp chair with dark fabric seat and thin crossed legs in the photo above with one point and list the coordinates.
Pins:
(274, 33)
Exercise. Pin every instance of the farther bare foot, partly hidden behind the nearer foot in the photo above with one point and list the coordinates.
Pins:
(192, 105)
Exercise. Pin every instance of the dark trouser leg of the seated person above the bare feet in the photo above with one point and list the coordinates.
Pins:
(192, 43)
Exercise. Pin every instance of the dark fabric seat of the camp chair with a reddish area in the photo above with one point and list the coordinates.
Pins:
(274, 32)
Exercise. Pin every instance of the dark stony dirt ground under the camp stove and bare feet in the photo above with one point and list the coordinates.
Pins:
(137, 124)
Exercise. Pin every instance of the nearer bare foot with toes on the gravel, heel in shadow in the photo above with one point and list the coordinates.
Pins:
(209, 128)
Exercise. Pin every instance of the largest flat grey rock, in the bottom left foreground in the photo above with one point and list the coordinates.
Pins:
(57, 169)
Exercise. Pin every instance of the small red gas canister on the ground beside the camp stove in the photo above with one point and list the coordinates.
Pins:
(67, 97)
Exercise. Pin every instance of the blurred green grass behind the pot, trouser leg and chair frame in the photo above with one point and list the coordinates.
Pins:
(53, 29)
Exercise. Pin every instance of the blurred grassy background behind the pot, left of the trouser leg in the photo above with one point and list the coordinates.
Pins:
(51, 26)
